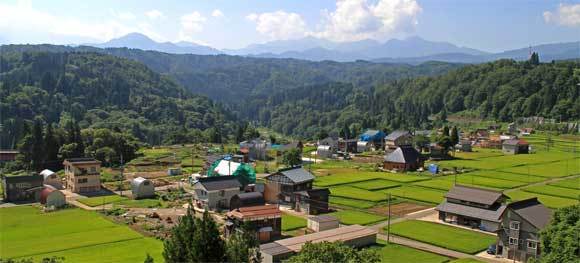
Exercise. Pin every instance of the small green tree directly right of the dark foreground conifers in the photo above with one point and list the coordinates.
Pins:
(243, 246)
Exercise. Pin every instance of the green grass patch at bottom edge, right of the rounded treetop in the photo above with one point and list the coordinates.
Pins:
(393, 253)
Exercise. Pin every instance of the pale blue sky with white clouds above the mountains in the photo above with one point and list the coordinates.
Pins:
(488, 25)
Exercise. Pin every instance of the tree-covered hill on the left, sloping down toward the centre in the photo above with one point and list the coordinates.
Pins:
(100, 91)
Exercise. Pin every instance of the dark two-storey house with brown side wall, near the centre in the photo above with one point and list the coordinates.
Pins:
(294, 186)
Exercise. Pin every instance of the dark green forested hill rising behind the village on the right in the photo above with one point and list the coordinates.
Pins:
(501, 90)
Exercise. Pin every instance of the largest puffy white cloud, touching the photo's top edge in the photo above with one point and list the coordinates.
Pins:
(358, 19)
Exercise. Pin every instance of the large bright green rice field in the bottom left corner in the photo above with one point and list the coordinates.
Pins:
(75, 234)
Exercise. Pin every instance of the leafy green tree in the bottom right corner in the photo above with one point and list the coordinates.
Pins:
(559, 239)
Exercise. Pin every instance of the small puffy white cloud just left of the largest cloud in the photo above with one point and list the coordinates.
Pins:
(279, 24)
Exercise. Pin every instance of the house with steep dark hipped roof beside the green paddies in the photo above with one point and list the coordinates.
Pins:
(405, 158)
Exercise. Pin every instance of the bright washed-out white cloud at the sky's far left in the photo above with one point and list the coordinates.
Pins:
(22, 20)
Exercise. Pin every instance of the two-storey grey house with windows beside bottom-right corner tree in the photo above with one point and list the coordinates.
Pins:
(518, 236)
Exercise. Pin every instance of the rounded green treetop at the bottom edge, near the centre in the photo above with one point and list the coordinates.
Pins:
(333, 252)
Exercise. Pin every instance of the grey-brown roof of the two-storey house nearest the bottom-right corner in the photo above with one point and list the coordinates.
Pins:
(532, 211)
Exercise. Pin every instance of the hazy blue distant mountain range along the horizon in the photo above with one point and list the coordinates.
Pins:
(412, 50)
